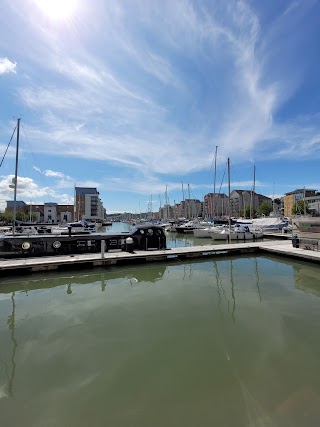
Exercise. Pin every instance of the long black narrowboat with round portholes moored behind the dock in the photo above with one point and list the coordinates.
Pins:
(142, 237)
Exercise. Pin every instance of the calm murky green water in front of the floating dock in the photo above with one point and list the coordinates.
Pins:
(223, 342)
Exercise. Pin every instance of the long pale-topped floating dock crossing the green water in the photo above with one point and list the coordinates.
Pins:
(69, 262)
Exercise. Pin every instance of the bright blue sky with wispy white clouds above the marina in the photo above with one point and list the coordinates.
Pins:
(132, 97)
